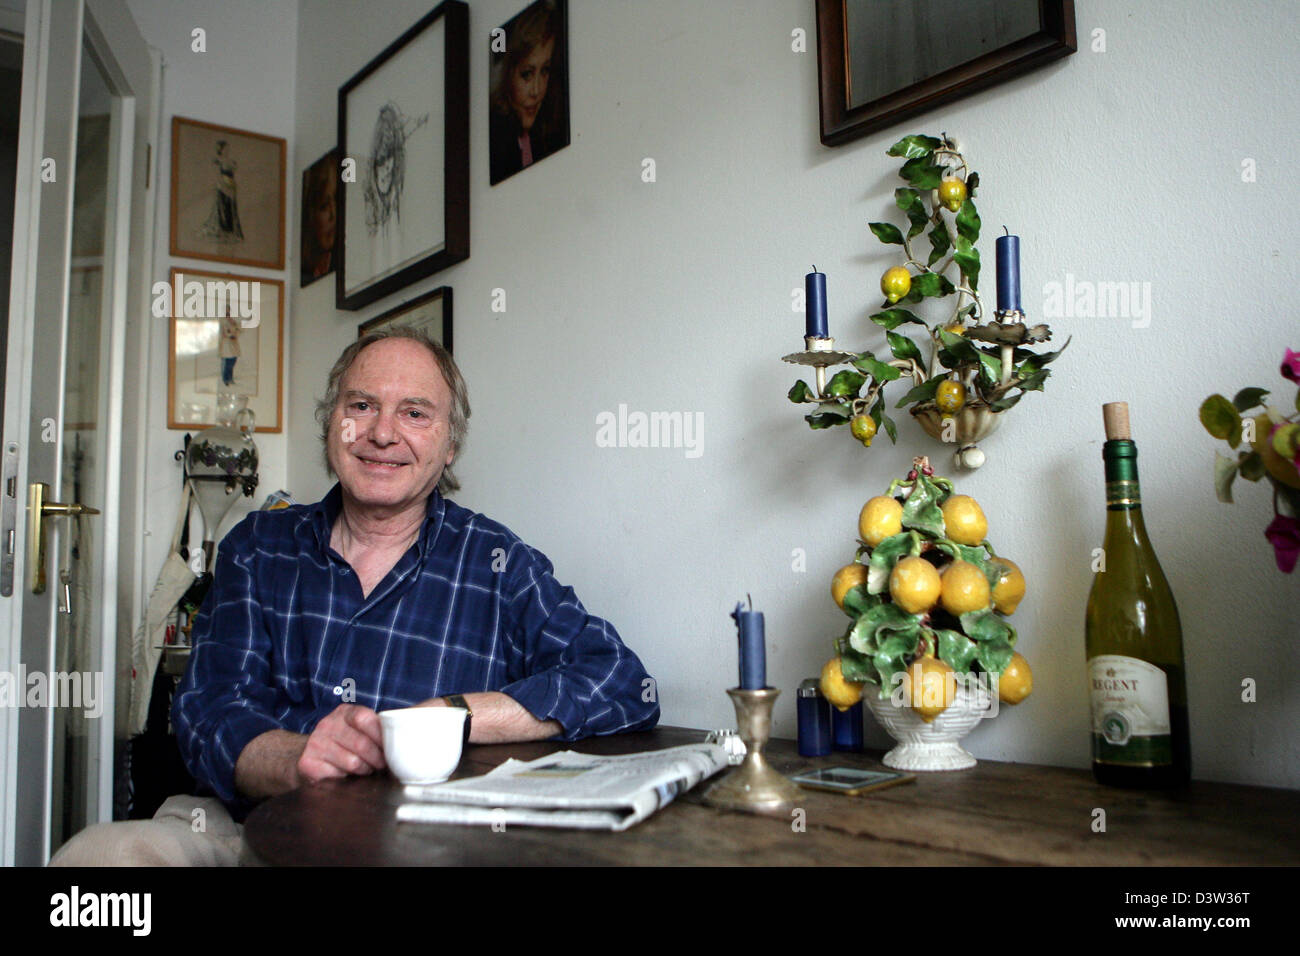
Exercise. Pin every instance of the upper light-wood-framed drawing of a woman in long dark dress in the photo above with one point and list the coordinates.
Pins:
(228, 194)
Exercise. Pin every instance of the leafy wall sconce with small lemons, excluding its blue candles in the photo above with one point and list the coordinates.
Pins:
(978, 366)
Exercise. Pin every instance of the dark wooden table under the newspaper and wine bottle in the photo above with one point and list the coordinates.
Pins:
(993, 815)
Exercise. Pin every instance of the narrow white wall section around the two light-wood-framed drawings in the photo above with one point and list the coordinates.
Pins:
(244, 80)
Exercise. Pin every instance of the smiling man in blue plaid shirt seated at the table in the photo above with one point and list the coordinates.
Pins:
(383, 595)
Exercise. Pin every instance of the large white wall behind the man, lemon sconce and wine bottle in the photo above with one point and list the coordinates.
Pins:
(675, 296)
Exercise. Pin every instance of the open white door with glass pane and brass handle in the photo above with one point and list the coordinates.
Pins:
(77, 305)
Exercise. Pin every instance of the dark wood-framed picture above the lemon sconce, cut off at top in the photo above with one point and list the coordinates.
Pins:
(881, 62)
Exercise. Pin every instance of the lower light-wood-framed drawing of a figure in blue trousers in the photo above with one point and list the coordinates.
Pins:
(228, 335)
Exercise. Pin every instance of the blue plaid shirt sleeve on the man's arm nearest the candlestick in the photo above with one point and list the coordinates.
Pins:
(579, 672)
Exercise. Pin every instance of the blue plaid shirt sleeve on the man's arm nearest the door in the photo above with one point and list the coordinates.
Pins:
(227, 697)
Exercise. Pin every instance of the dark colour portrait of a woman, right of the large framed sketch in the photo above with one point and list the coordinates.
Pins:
(528, 116)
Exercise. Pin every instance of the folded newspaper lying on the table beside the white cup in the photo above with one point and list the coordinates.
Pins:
(567, 790)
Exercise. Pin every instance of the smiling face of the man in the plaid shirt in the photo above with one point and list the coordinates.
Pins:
(391, 432)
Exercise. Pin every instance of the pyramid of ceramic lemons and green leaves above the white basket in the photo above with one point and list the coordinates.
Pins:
(929, 599)
